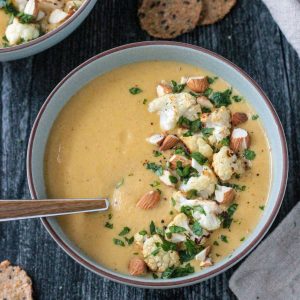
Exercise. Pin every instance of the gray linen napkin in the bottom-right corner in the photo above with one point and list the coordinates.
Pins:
(272, 271)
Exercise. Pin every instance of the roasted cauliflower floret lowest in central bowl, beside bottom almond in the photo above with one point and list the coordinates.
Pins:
(156, 258)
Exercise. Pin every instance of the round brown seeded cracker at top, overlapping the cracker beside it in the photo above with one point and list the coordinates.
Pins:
(166, 19)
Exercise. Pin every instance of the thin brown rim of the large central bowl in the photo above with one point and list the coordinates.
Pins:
(184, 281)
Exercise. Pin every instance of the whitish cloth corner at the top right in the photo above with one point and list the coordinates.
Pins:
(287, 15)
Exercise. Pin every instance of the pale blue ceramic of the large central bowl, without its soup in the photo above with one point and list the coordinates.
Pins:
(131, 53)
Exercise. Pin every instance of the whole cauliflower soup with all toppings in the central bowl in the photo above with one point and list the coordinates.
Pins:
(182, 157)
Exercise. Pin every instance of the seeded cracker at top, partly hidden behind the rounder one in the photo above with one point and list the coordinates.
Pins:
(215, 10)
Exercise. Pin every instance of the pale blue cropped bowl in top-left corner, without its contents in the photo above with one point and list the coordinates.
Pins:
(50, 39)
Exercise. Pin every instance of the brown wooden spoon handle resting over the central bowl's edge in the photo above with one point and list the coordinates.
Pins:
(24, 209)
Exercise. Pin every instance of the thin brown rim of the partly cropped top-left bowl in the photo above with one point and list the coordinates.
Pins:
(44, 37)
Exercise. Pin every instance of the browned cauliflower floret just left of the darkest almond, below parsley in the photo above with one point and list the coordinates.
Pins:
(219, 120)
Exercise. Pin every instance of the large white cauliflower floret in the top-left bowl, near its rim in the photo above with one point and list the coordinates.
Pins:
(16, 31)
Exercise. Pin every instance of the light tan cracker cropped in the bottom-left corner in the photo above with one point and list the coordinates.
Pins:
(14, 283)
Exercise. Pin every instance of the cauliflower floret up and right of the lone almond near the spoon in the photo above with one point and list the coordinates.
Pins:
(205, 184)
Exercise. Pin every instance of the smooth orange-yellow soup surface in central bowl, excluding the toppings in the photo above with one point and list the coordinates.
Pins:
(97, 147)
